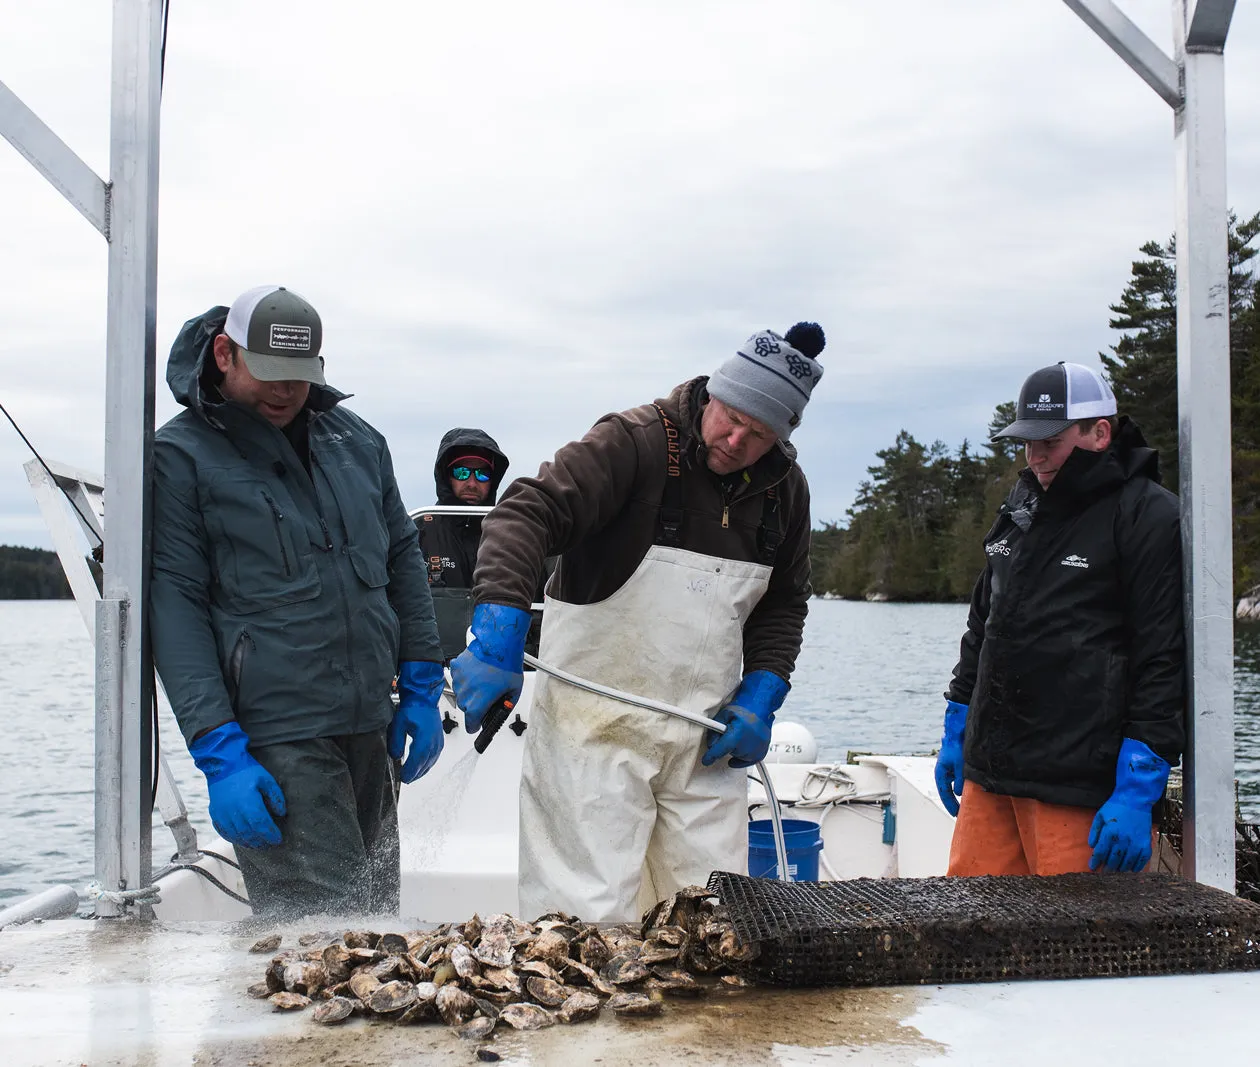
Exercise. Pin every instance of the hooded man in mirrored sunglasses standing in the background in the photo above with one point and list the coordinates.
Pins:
(468, 472)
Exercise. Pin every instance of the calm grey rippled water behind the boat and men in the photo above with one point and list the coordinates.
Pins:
(870, 680)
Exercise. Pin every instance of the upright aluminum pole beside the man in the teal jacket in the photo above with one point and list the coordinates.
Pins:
(124, 702)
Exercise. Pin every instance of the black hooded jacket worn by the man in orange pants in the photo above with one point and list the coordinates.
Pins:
(1075, 637)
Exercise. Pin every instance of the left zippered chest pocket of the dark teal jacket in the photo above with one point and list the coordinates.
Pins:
(259, 547)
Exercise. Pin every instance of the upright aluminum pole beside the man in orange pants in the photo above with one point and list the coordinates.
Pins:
(1205, 442)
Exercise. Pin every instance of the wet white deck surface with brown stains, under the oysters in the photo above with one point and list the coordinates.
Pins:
(96, 993)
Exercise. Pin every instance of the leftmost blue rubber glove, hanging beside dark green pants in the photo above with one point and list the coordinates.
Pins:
(241, 789)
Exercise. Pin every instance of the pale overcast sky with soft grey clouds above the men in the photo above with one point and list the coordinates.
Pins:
(521, 217)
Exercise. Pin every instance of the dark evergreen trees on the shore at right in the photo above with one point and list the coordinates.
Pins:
(917, 530)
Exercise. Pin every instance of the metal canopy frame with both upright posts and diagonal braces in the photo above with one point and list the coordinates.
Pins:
(125, 212)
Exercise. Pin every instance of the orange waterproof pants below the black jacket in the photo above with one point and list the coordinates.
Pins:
(997, 835)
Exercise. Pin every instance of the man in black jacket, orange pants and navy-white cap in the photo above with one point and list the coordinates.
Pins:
(1067, 707)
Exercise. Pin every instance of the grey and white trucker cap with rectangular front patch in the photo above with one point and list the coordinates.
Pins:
(279, 333)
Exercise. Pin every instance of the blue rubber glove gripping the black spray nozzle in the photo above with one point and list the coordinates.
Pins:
(493, 666)
